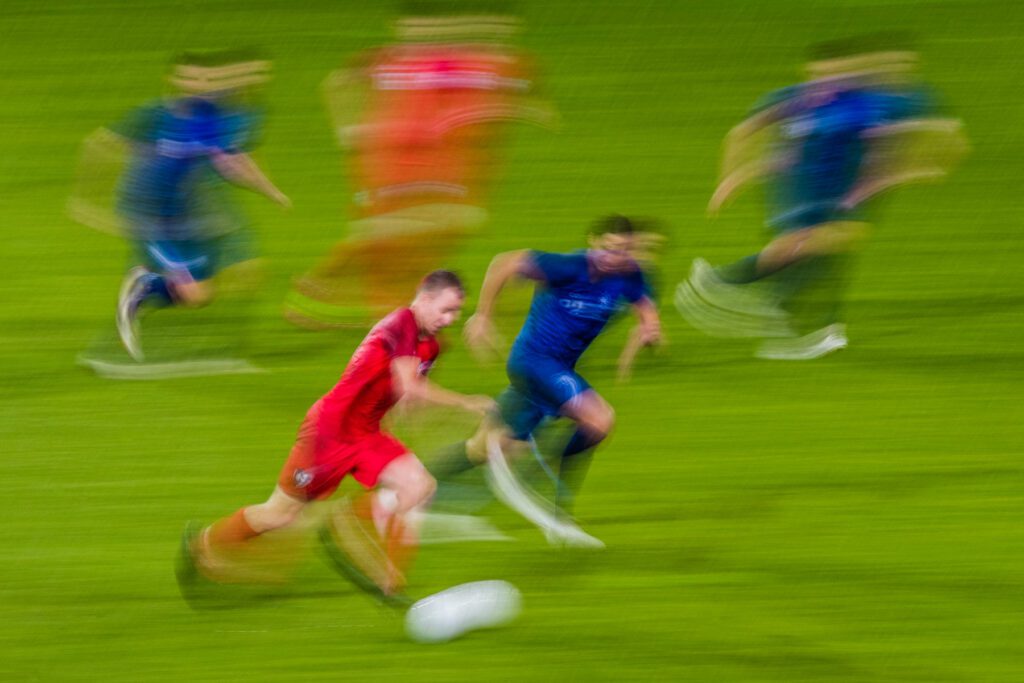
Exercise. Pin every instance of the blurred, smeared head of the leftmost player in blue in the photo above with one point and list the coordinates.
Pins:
(210, 73)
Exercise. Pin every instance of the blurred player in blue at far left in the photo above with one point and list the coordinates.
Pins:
(172, 198)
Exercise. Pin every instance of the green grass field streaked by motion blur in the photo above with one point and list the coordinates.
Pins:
(857, 519)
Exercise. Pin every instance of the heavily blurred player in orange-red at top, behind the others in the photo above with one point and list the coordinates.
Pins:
(423, 121)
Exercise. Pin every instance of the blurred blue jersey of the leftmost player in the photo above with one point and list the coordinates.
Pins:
(173, 145)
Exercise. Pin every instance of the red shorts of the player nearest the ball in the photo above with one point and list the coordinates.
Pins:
(318, 463)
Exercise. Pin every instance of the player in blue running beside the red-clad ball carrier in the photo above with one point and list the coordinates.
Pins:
(577, 294)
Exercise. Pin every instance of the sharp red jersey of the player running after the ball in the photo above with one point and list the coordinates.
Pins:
(365, 394)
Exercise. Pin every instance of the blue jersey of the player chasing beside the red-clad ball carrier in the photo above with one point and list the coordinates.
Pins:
(571, 308)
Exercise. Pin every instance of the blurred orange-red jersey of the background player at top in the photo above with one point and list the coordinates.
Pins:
(444, 109)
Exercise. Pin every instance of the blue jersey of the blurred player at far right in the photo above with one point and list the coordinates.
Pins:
(823, 144)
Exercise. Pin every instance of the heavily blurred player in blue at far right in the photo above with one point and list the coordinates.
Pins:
(841, 139)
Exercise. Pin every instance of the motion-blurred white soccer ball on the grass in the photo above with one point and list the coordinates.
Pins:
(446, 616)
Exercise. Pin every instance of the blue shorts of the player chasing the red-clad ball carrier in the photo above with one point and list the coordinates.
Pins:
(539, 390)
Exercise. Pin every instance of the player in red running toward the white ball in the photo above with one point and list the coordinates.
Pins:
(340, 436)
